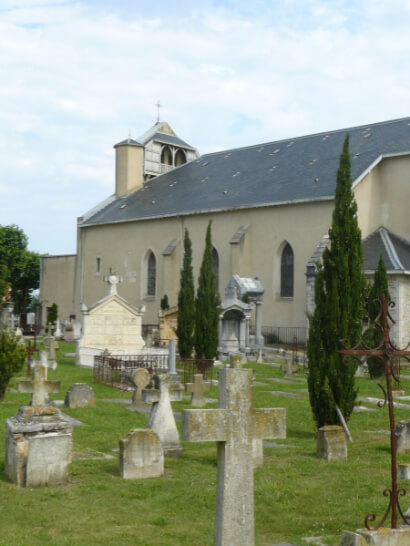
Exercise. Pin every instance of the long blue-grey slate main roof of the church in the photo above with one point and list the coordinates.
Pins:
(290, 170)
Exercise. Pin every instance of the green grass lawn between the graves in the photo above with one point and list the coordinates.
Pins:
(296, 494)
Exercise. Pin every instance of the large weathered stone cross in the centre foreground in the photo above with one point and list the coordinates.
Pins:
(234, 426)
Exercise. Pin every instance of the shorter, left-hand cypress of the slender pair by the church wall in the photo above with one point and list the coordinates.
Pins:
(186, 303)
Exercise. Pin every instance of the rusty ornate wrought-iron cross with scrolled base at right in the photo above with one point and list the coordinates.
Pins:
(387, 352)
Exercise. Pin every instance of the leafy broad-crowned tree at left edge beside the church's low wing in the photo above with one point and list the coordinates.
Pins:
(19, 267)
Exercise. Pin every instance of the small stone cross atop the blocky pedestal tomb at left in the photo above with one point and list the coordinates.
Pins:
(39, 386)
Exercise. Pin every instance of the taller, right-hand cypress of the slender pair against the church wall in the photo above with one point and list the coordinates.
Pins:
(207, 305)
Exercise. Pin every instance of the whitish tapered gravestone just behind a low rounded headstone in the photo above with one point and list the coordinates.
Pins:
(161, 419)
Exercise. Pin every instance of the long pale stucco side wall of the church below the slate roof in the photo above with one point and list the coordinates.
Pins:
(124, 247)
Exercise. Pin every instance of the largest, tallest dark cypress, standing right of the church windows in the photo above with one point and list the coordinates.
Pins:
(339, 299)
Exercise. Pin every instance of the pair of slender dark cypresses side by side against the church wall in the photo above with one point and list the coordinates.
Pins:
(198, 317)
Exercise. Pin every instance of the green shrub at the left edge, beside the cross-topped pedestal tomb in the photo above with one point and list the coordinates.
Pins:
(12, 358)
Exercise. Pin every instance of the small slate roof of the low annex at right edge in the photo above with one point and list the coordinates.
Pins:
(394, 250)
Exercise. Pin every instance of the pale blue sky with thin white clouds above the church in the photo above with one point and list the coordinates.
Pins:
(77, 76)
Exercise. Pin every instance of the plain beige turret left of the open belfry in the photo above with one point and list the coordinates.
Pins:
(129, 166)
